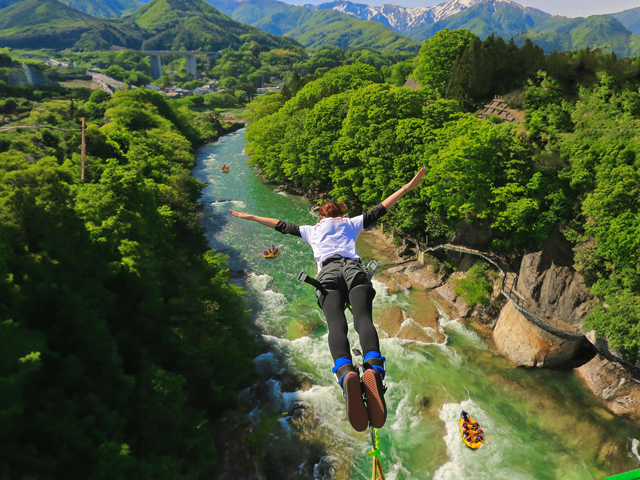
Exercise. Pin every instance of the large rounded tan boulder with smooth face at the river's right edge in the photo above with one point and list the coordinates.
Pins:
(524, 343)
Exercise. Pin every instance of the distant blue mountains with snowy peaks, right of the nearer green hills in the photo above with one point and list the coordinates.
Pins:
(504, 18)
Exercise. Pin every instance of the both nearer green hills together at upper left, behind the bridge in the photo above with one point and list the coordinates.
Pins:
(161, 24)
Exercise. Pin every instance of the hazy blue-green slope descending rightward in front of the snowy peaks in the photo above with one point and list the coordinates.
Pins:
(315, 29)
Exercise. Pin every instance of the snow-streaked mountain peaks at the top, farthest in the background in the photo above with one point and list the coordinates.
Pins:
(402, 19)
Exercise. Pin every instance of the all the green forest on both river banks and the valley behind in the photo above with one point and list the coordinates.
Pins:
(119, 325)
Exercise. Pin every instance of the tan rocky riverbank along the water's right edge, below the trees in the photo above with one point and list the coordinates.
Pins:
(610, 379)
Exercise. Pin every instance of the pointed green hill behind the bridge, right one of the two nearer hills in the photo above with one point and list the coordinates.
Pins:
(195, 25)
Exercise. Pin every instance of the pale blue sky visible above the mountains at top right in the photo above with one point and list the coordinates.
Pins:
(569, 8)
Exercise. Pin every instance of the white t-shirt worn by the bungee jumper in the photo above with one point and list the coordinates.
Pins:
(333, 236)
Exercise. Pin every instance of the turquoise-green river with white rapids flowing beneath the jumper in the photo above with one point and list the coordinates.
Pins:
(543, 424)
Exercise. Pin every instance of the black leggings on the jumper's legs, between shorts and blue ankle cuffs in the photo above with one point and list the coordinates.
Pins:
(361, 300)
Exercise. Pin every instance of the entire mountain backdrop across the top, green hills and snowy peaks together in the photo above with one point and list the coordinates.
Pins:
(215, 24)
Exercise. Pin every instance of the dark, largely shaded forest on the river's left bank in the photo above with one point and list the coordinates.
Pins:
(118, 324)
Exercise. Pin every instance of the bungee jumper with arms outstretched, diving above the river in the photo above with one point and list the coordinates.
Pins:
(341, 279)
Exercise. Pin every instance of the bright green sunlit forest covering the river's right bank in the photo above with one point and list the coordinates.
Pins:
(574, 165)
